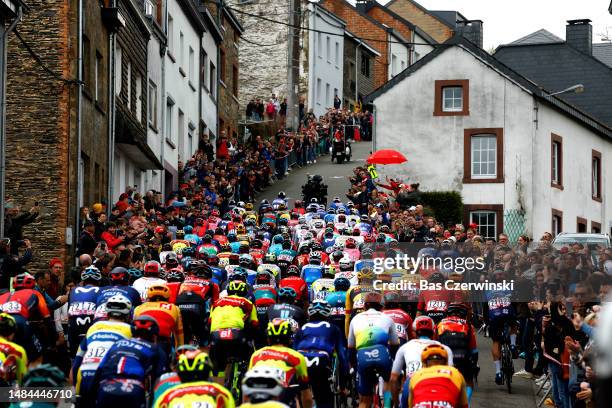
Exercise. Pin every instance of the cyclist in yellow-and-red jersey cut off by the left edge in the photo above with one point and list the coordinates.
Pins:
(13, 357)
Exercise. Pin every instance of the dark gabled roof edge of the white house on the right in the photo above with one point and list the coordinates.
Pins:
(529, 86)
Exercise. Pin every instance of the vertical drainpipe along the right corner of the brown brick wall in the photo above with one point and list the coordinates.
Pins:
(78, 125)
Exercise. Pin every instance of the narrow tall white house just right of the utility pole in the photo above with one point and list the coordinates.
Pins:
(325, 58)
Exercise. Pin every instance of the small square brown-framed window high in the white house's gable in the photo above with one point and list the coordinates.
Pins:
(452, 98)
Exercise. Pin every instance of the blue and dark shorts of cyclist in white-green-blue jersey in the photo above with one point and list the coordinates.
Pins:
(370, 362)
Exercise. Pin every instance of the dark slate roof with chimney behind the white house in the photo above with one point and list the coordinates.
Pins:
(556, 66)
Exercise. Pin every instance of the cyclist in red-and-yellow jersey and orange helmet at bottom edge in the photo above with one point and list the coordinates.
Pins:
(437, 384)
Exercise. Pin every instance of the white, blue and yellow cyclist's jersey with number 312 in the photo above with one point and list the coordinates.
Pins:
(99, 339)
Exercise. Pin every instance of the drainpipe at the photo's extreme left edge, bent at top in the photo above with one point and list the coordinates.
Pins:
(3, 56)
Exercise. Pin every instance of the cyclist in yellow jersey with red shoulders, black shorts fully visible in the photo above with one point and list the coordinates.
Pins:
(233, 322)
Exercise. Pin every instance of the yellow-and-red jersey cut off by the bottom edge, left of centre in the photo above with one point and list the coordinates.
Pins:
(199, 394)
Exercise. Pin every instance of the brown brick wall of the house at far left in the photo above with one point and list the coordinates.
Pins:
(37, 129)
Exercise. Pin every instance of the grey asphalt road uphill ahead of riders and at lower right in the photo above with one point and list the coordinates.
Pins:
(487, 394)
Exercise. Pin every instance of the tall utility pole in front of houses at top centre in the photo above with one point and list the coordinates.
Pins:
(293, 65)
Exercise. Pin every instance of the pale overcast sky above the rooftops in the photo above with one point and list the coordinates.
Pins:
(506, 21)
